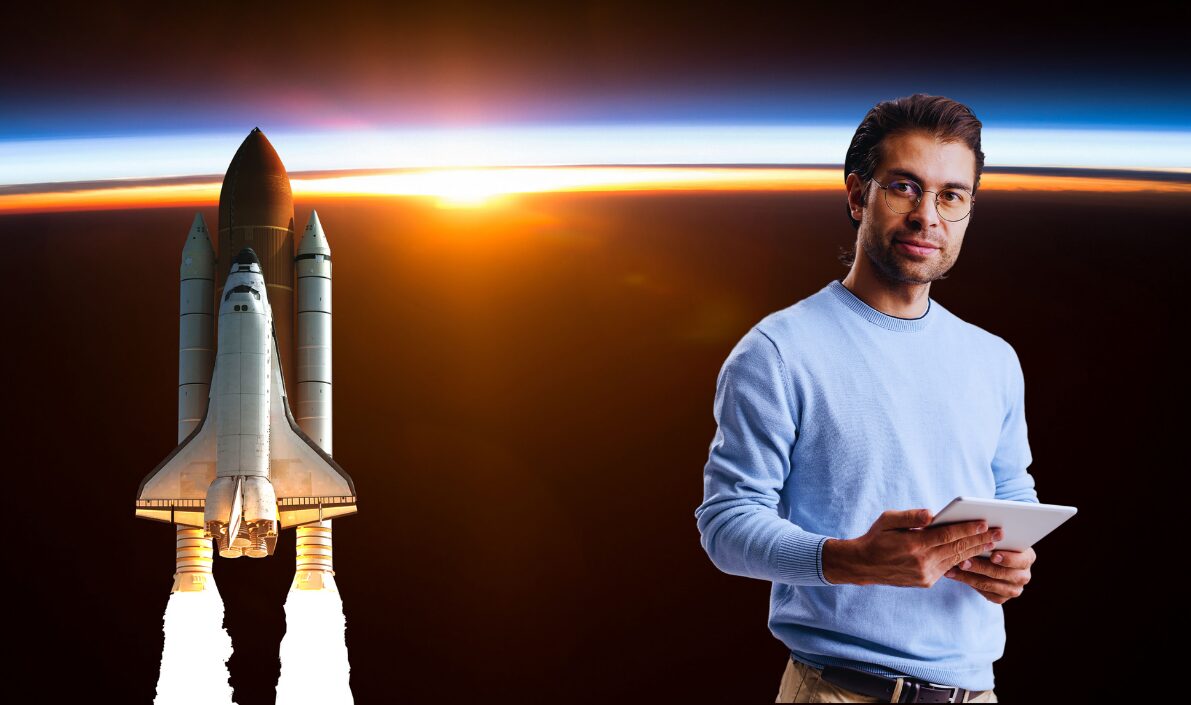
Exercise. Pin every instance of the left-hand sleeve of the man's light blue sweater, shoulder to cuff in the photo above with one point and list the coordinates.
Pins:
(749, 464)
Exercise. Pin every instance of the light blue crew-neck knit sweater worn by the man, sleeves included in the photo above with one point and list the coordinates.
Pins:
(831, 413)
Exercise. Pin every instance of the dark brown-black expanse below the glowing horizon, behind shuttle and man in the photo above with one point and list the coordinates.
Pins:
(525, 401)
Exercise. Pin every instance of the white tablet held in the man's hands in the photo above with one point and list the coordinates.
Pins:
(1025, 523)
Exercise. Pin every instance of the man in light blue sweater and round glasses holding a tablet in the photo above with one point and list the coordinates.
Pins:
(849, 419)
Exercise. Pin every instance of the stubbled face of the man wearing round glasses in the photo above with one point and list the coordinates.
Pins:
(886, 236)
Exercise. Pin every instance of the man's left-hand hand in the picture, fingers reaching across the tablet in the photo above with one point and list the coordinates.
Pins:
(900, 550)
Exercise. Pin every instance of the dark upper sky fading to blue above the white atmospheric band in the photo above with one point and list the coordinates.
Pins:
(144, 67)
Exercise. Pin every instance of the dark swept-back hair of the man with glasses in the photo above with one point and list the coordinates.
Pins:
(941, 117)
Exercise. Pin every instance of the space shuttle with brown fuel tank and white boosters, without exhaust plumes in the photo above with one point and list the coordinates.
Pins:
(247, 465)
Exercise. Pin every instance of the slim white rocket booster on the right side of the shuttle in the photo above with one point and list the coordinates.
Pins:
(315, 567)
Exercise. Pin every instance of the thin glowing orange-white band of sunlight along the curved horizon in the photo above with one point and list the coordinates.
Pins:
(479, 188)
